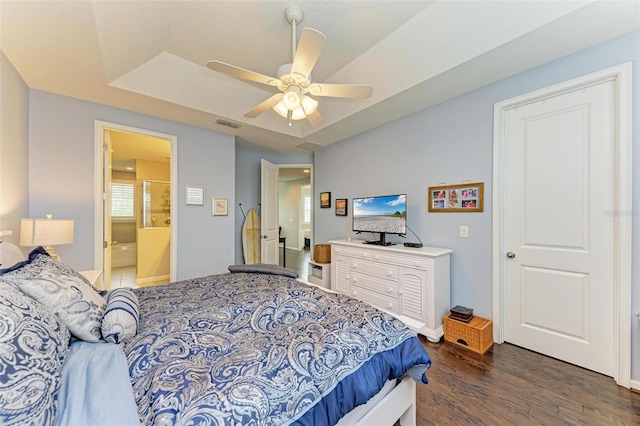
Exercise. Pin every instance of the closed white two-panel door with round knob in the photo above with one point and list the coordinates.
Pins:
(559, 240)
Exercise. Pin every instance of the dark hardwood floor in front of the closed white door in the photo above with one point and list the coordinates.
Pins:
(513, 386)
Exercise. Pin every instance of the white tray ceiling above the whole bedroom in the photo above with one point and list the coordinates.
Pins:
(150, 56)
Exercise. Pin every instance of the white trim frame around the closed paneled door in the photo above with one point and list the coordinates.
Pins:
(621, 75)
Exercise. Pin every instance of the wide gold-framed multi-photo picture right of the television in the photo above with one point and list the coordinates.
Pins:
(466, 197)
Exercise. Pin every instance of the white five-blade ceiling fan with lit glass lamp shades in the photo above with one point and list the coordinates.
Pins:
(294, 80)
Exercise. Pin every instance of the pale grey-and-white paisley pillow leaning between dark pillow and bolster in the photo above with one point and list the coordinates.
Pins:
(63, 291)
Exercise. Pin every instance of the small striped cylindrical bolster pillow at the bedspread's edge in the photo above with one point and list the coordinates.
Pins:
(121, 318)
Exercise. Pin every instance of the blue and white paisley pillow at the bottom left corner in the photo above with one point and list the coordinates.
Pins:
(33, 344)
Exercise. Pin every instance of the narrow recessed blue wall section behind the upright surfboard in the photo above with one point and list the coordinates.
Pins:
(248, 184)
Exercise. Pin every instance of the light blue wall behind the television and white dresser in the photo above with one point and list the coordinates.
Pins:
(452, 142)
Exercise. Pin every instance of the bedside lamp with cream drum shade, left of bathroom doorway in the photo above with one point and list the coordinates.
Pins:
(46, 232)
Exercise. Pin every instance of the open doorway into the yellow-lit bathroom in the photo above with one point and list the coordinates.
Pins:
(138, 189)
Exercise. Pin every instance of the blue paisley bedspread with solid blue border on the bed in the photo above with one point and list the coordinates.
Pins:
(259, 349)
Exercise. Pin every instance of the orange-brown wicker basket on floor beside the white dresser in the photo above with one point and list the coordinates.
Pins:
(475, 335)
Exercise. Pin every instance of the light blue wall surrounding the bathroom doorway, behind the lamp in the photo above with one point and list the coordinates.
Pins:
(61, 173)
